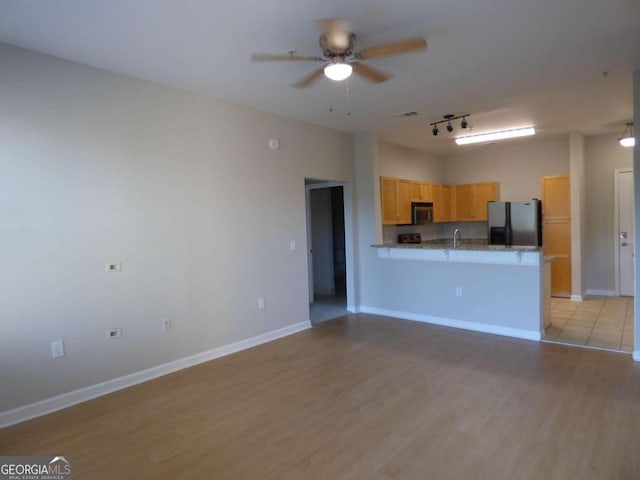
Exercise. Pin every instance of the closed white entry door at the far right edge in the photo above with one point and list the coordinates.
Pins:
(625, 231)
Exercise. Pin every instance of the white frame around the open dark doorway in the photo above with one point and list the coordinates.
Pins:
(349, 241)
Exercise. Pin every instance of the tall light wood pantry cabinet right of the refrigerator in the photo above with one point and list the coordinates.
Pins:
(556, 231)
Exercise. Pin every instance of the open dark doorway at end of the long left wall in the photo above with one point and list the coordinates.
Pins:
(327, 240)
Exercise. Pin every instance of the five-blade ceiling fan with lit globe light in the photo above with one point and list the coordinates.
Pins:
(339, 57)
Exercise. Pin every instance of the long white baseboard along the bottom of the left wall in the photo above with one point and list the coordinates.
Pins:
(49, 405)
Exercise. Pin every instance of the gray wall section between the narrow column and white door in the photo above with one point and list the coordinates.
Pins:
(603, 155)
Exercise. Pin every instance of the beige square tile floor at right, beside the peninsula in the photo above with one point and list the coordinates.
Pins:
(604, 322)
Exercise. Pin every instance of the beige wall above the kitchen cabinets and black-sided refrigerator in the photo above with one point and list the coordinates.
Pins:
(518, 166)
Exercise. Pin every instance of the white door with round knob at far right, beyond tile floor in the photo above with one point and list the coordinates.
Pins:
(624, 231)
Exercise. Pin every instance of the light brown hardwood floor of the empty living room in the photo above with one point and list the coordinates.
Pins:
(362, 397)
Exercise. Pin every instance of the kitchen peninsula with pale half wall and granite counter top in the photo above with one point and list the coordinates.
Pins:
(475, 286)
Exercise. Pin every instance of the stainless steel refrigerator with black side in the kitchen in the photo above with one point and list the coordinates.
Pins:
(515, 223)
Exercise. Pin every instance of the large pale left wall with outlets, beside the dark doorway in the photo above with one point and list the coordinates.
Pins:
(99, 168)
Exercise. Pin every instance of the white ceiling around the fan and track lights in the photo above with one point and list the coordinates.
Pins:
(507, 62)
